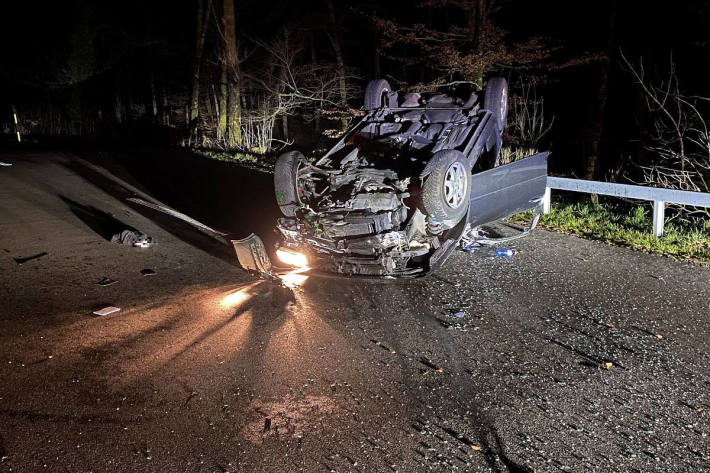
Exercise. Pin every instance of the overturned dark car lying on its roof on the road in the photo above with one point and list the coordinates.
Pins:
(398, 192)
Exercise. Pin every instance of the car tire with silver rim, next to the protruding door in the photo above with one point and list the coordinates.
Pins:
(447, 187)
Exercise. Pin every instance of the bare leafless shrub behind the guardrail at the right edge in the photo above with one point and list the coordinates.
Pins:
(678, 139)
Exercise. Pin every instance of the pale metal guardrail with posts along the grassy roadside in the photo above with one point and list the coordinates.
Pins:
(658, 196)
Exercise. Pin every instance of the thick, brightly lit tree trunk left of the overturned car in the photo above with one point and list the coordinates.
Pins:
(231, 68)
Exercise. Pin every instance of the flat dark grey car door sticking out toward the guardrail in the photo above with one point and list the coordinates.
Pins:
(509, 189)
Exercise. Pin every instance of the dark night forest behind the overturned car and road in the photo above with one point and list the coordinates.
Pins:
(258, 78)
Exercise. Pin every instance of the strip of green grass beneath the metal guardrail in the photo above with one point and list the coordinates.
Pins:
(618, 225)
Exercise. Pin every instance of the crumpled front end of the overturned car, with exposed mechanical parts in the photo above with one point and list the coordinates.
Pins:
(353, 221)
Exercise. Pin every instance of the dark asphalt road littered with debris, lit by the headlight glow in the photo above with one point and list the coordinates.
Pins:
(571, 356)
